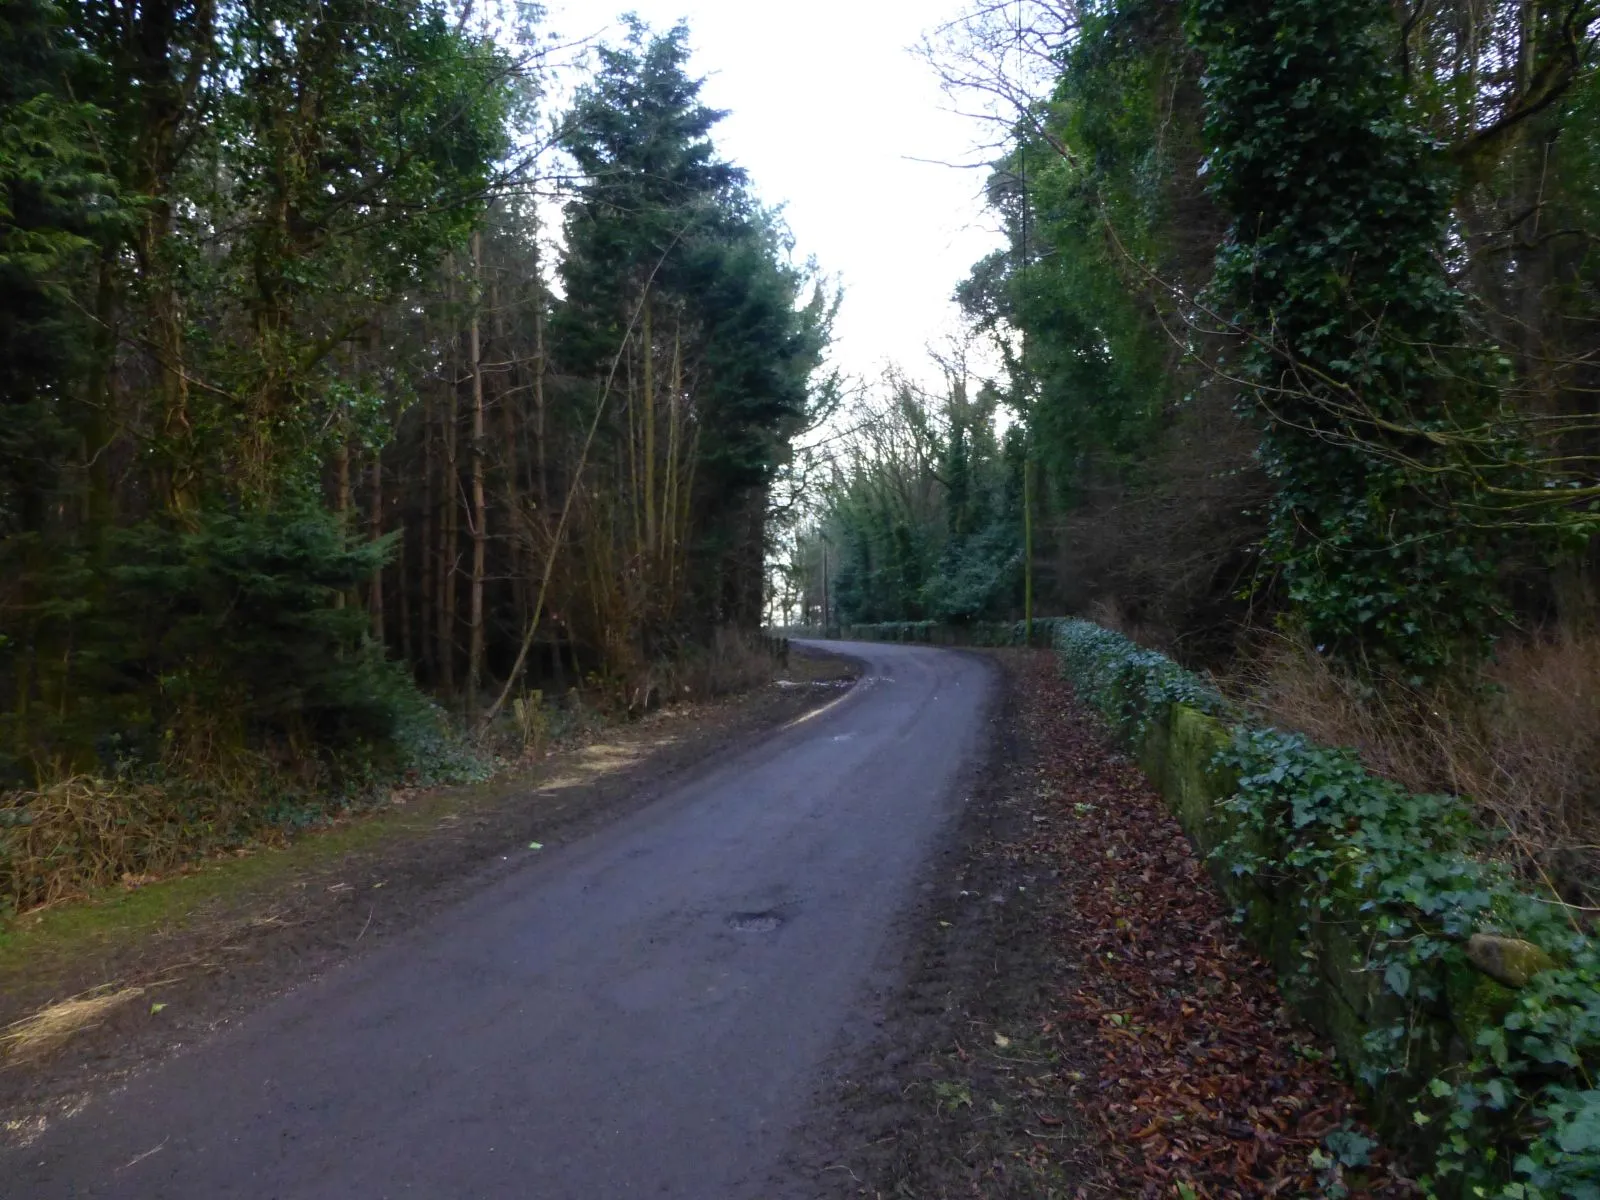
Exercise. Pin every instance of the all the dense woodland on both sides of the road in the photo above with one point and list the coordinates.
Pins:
(358, 394)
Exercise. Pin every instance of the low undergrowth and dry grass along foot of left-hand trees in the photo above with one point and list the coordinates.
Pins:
(215, 788)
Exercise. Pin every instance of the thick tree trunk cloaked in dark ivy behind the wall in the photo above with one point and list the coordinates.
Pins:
(1350, 334)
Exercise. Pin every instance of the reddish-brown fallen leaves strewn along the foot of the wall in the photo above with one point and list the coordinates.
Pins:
(1199, 1081)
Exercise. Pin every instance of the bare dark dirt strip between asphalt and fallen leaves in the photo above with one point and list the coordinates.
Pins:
(961, 1095)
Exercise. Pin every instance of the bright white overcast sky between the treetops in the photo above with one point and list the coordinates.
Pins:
(828, 110)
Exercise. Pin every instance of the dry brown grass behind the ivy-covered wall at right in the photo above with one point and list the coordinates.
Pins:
(1521, 738)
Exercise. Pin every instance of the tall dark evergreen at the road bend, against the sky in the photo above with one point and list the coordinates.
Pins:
(673, 265)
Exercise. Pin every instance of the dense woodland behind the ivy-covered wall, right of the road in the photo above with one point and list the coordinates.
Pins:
(1298, 324)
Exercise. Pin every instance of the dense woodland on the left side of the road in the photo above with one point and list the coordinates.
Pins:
(348, 385)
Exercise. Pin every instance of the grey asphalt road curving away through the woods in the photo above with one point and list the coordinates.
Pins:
(641, 1014)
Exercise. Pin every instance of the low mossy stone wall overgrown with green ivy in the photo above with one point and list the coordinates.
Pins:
(1476, 1057)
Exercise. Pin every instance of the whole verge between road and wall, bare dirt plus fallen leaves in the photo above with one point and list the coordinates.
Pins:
(1079, 1017)
